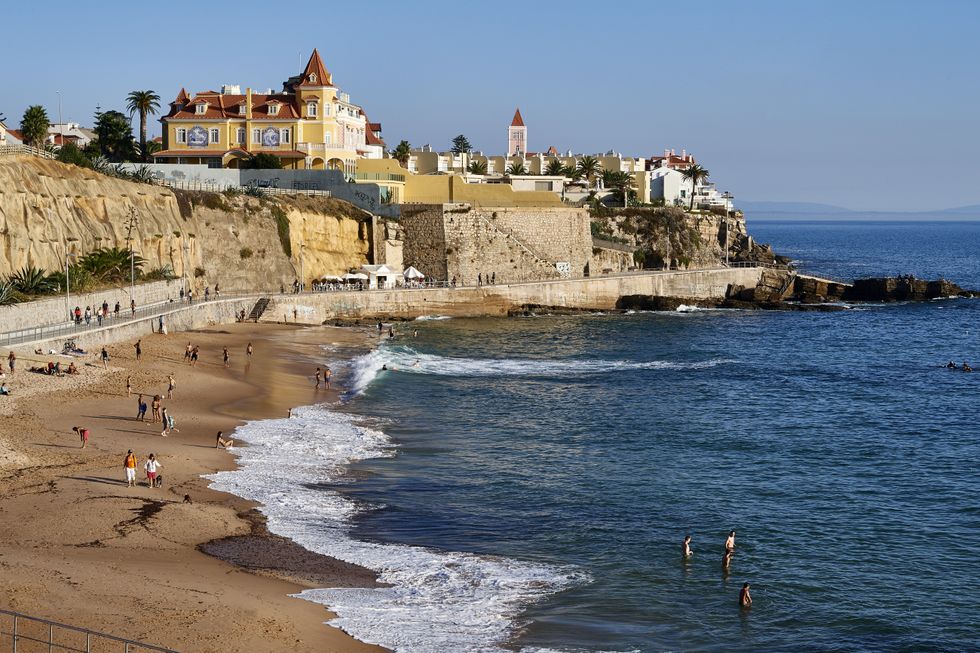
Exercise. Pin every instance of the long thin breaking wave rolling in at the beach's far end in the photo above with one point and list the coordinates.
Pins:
(367, 367)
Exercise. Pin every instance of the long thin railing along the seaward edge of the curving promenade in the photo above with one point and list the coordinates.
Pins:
(70, 329)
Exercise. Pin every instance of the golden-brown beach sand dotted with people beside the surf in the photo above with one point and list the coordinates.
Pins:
(80, 547)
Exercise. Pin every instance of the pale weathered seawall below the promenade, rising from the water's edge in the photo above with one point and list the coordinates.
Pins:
(598, 293)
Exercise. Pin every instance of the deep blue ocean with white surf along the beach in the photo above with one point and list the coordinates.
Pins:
(525, 484)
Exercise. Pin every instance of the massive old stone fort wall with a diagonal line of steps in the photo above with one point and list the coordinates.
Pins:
(460, 241)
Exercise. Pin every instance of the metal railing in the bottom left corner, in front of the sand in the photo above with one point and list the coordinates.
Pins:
(27, 634)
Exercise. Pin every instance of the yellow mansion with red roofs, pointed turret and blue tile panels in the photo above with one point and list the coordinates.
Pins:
(311, 124)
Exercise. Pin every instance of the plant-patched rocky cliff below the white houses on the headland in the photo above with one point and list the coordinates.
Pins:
(689, 240)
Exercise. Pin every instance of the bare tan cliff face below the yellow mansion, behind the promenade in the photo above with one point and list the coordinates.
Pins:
(47, 207)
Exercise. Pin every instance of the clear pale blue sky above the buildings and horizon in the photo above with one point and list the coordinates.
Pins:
(869, 105)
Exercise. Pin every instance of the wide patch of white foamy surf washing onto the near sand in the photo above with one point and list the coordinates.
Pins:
(435, 601)
